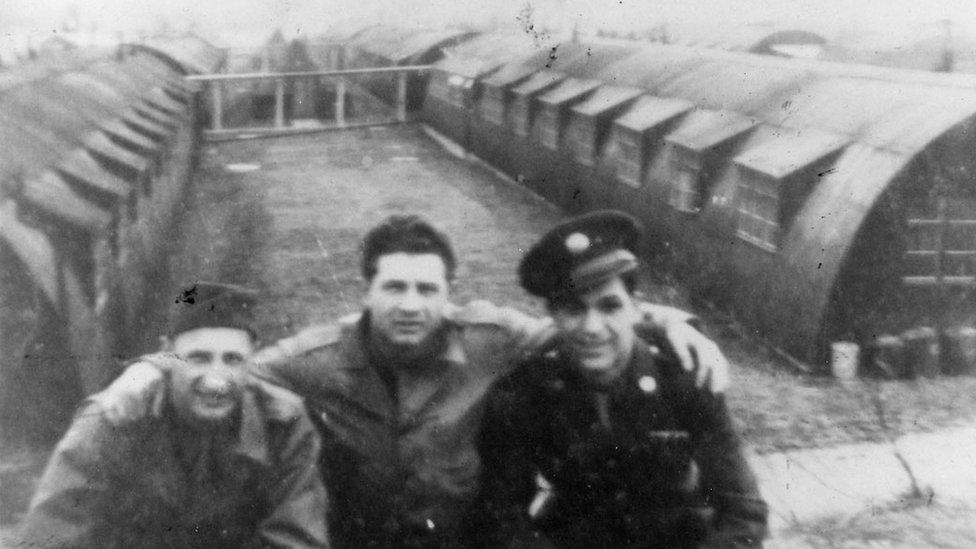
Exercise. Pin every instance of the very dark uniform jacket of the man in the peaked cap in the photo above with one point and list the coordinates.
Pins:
(650, 461)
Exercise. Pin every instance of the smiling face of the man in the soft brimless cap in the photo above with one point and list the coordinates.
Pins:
(206, 389)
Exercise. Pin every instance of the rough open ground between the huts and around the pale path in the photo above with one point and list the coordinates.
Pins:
(285, 216)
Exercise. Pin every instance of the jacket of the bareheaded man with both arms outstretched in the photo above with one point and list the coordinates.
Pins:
(399, 456)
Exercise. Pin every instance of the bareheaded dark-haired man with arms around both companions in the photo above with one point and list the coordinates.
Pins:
(399, 389)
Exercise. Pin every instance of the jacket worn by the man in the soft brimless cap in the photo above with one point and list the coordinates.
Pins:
(141, 484)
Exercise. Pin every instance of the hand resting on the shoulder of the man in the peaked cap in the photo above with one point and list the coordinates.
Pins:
(696, 352)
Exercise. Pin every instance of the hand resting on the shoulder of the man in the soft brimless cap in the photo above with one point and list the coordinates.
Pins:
(139, 392)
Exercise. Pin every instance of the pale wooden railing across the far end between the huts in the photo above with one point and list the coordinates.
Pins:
(341, 81)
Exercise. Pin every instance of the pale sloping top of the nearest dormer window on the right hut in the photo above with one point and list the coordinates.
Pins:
(788, 150)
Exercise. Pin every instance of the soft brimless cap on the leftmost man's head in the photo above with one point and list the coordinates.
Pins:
(213, 305)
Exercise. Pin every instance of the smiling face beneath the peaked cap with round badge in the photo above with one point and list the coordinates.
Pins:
(598, 326)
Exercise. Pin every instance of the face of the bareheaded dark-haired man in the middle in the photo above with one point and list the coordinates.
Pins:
(406, 298)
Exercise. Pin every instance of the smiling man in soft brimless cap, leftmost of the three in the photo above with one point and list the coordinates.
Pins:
(228, 460)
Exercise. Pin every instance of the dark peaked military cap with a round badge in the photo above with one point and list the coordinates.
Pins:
(581, 253)
